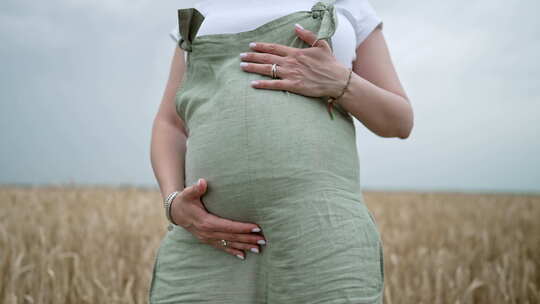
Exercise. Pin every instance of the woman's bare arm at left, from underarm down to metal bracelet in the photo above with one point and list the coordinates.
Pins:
(168, 144)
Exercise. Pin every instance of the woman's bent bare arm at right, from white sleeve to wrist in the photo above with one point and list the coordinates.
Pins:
(375, 95)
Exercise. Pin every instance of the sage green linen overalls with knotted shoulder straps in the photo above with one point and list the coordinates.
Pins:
(277, 159)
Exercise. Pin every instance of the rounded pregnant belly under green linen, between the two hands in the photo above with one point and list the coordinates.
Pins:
(265, 149)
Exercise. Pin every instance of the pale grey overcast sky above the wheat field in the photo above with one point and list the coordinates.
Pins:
(81, 81)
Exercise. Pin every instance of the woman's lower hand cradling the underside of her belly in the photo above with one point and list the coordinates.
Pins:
(188, 211)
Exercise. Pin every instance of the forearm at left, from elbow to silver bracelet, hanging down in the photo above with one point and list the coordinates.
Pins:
(167, 154)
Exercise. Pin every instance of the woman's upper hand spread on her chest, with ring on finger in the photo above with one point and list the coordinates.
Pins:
(312, 71)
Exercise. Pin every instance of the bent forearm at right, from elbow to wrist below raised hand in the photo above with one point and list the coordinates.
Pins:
(385, 113)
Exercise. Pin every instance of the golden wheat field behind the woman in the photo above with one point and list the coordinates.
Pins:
(74, 244)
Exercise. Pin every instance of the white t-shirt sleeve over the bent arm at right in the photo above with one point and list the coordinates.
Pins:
(362, 16)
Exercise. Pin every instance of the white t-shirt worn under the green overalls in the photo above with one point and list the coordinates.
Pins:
(356, 20)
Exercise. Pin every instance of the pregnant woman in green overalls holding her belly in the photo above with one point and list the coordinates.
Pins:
(260, 180)
